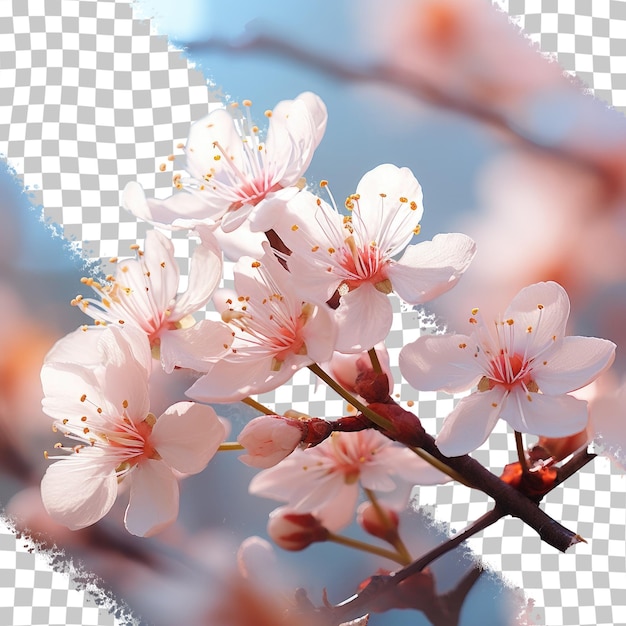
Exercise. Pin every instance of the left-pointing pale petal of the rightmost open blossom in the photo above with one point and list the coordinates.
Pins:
(445, 362)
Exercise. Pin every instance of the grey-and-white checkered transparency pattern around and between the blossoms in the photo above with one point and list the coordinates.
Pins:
(91, 99)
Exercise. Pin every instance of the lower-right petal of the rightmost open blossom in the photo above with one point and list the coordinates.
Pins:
(548, 416)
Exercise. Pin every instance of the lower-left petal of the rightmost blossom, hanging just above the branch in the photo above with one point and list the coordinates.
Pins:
(471, 422)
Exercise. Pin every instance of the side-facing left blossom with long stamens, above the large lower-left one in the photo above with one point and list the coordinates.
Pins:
(143, 294)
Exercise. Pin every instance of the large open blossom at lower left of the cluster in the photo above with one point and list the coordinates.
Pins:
(100, 401)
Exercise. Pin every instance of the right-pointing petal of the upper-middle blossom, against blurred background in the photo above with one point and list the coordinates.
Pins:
(431, 268)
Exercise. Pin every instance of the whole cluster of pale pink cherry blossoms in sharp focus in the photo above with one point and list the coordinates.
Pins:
(311, 289)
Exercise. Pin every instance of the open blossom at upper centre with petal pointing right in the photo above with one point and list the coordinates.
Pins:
(354, 254)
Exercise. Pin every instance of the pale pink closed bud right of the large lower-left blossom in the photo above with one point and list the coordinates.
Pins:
(269, 439)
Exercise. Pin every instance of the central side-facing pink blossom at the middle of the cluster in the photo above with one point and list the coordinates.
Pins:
(275, 334)
